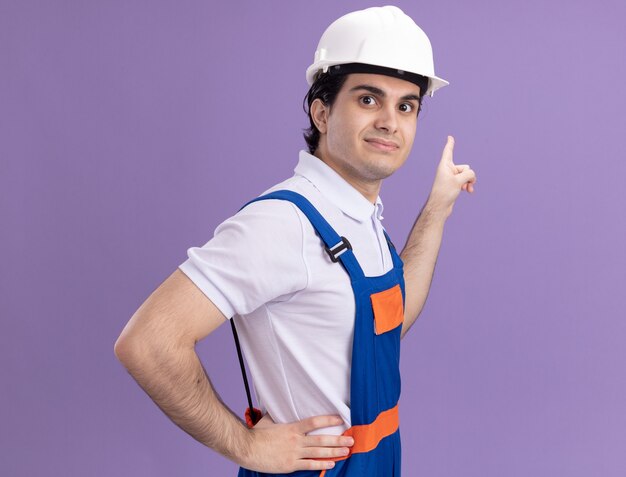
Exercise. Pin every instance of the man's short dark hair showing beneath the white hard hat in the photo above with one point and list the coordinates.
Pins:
(326, 87)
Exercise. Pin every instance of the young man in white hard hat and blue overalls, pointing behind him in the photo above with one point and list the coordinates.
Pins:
(319, 294)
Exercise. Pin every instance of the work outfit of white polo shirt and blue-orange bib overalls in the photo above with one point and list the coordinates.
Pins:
(361, 382)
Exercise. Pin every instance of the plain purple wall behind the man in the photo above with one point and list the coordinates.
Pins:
(130, 130)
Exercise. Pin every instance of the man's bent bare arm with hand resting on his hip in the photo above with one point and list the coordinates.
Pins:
(157, 347)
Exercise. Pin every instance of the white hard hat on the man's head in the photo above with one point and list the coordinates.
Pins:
(381, 37)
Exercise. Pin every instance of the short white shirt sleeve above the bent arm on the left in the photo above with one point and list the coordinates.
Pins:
(254, 257)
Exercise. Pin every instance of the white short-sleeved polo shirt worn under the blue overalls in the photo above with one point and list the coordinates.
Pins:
(294, 308)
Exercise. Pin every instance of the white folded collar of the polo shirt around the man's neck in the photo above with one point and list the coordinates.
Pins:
(337, 189)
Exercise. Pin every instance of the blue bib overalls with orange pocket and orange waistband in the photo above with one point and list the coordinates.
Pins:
(375, 373)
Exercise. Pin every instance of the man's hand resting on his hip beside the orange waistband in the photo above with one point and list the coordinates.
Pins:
(284, 448)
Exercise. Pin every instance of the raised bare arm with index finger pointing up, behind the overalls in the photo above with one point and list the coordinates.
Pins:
(422, 247)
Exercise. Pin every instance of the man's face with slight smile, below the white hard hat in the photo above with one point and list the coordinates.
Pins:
(369, 130)
